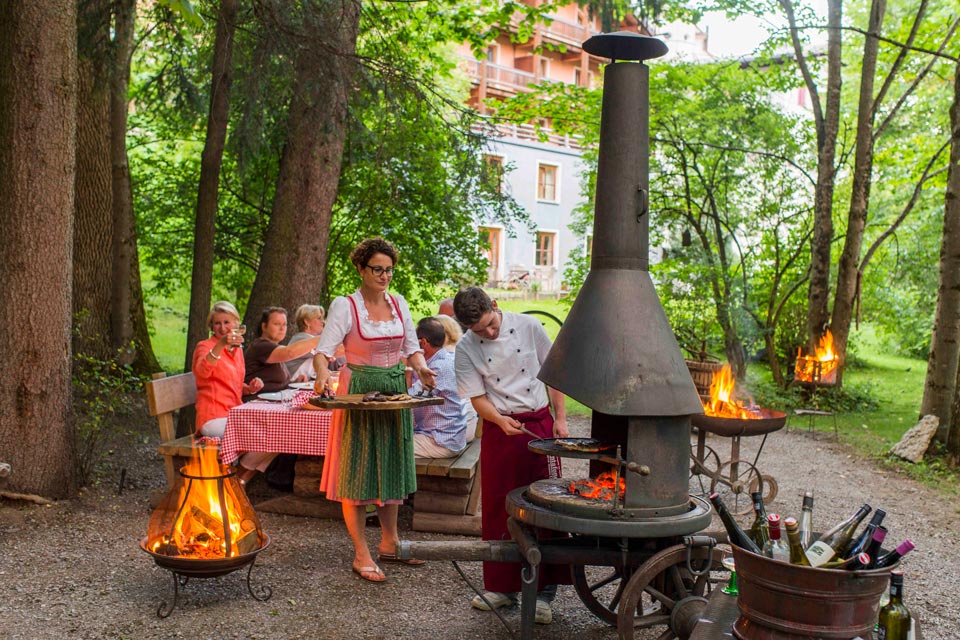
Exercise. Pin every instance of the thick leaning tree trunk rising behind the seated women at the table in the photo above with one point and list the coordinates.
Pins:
(293, 263)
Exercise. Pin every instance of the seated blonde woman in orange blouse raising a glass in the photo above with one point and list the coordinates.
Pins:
(219, 368)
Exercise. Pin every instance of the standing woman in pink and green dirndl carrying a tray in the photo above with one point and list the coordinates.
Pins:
(370, 453)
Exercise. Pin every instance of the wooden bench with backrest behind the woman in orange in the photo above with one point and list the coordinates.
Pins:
(164, 396)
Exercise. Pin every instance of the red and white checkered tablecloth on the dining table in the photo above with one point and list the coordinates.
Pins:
(273, 426)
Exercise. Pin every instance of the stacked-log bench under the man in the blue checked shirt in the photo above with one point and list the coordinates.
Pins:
(448, 493)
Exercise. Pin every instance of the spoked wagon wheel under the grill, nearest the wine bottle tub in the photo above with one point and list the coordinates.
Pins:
(663, 592)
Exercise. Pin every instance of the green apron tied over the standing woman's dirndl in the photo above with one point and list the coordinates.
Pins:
(376, 447)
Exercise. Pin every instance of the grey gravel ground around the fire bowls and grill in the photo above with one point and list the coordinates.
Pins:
(74, 569)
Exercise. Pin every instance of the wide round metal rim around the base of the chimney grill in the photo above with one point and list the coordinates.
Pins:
(548, 504)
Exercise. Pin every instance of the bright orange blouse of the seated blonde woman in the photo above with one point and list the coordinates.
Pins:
(220, 384)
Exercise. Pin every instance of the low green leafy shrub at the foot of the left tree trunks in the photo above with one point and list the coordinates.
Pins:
(103, 396)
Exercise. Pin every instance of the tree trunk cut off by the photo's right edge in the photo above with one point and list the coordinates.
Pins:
(940, 387)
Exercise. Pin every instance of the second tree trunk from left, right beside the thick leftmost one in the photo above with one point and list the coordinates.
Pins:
(93, 218)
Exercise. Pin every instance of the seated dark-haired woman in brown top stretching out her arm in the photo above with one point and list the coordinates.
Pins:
(266, 356)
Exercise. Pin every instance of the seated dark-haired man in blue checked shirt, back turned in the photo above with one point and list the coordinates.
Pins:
(439, 431)
